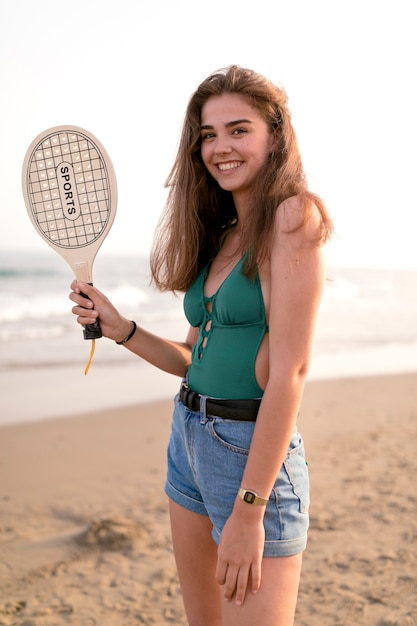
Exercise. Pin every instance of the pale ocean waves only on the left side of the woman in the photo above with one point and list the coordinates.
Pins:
(36, 323)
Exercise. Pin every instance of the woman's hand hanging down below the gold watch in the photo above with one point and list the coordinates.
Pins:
(240, 552)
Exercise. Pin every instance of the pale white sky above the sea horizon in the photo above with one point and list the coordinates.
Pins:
(124, 70)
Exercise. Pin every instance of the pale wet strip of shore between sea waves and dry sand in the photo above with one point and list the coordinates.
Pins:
(39, 391)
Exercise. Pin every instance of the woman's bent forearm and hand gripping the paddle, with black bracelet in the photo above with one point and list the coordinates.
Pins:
(169, 356)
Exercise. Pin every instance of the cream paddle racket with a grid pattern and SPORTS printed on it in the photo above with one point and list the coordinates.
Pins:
(70, 192)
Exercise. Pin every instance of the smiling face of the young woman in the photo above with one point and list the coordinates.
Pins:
(235, 143)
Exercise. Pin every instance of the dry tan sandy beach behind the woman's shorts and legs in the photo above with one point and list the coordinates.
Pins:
(84, 530)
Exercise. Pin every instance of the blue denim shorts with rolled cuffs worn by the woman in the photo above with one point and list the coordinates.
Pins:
(206, 459)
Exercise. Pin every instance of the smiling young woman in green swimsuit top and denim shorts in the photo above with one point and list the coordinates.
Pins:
(243, 238)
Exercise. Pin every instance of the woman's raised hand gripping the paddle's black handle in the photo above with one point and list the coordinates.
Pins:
(91, 304)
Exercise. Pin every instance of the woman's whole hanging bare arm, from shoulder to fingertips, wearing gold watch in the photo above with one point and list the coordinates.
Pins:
(297, 279)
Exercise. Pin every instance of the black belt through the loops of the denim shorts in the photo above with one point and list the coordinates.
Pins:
(243, 410)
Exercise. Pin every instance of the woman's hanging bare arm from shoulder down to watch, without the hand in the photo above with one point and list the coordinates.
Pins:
(297, 280)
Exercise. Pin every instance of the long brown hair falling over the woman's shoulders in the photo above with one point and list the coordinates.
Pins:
(198, 211)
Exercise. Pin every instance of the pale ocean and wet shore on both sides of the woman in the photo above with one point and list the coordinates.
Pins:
(367, 325)
